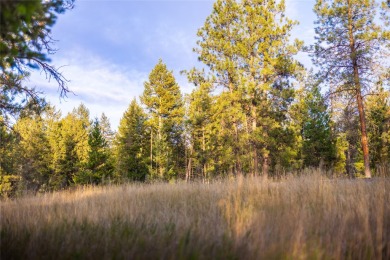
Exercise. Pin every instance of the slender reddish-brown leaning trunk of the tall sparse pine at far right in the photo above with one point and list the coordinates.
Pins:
(359, 98)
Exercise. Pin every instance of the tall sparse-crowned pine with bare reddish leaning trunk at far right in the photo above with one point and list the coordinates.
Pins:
(348, 49)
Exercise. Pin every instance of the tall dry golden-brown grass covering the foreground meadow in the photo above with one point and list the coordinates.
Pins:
(307, 217)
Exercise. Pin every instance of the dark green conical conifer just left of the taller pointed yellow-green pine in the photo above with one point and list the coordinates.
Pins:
(131, 145)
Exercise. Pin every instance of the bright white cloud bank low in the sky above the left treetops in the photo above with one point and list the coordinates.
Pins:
(101, 86)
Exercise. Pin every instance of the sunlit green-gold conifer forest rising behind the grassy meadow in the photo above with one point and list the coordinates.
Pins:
(254, 109)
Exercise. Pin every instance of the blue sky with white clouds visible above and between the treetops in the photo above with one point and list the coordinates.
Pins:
(107, 48)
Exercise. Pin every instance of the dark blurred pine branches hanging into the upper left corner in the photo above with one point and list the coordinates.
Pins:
(25, 28)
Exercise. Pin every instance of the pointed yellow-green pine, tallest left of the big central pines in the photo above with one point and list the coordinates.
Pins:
(164, 103)
